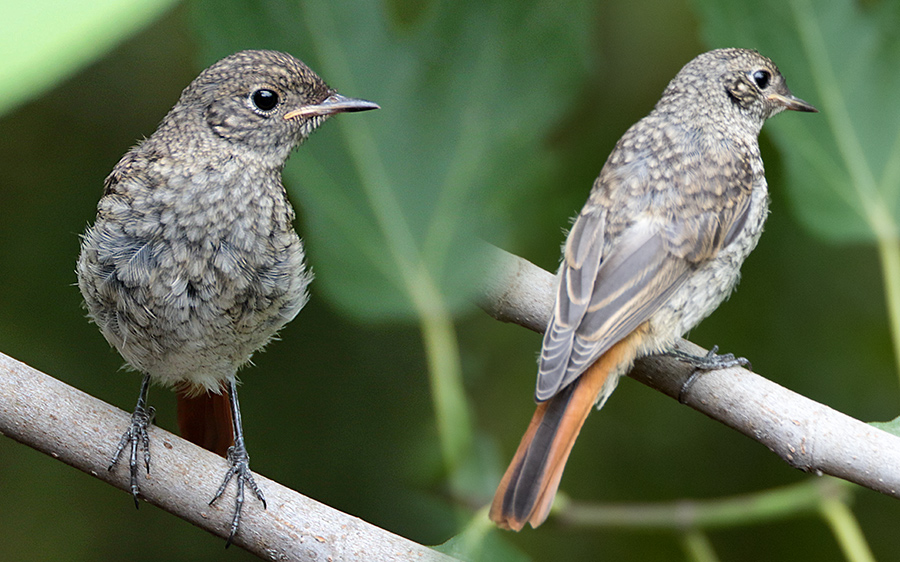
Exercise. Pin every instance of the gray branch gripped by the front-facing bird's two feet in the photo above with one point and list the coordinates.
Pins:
(67, 424)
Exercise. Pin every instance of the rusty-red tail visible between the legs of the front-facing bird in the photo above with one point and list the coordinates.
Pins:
(206, 420)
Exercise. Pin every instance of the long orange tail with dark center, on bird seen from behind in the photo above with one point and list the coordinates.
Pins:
(526, 492)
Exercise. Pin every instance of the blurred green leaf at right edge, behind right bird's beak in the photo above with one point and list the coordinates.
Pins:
(843, 166)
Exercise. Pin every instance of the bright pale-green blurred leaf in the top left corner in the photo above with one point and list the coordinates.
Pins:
(44, 41)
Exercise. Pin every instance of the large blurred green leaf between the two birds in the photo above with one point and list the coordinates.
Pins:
(391, 200)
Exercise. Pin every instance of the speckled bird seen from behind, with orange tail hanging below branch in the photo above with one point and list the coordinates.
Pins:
(678, 206)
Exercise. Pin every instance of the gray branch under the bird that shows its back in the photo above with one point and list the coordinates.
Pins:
(805, 434)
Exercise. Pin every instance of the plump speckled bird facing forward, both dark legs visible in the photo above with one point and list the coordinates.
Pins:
(193, 263)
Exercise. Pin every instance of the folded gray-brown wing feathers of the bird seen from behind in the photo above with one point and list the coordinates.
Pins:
(602, 298)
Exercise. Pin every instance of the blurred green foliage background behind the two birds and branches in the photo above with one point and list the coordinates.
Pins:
(497, 117)
